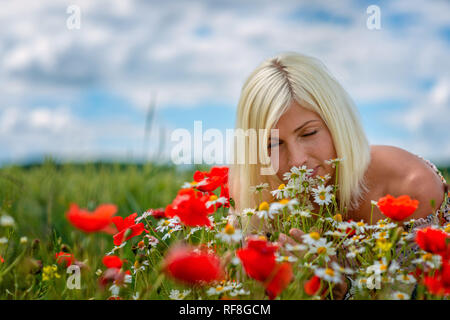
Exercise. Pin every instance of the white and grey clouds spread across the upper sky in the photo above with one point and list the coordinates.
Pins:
(136, 47)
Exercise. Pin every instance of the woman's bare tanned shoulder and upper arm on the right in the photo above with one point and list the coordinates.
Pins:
(401, 172)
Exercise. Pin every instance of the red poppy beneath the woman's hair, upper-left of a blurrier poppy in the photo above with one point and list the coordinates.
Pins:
(258, 258)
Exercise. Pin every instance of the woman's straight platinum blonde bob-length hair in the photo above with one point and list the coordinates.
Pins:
(266, 95)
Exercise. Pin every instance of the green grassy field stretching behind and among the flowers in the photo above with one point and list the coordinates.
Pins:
(37, 197)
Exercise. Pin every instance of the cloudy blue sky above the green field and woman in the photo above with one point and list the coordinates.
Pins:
(84, 92)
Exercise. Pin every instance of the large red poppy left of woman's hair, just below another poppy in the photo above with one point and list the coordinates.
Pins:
(190, 206)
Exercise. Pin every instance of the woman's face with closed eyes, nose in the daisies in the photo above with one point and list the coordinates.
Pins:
(303, 139)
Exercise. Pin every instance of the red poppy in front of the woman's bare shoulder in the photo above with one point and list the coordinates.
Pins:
(399, 208)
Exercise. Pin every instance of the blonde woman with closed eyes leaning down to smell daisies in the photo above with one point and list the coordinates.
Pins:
(317, 121)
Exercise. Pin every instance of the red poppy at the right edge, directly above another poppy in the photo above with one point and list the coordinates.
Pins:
(433, 240)
